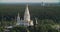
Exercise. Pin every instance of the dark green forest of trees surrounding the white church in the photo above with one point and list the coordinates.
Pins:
(47, 16)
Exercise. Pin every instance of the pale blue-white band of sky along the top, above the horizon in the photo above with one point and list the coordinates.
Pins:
(29, 1)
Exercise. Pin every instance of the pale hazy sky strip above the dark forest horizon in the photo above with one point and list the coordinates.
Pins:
(17, 1)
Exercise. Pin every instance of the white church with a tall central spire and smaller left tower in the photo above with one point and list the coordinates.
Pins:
(27, 21)
